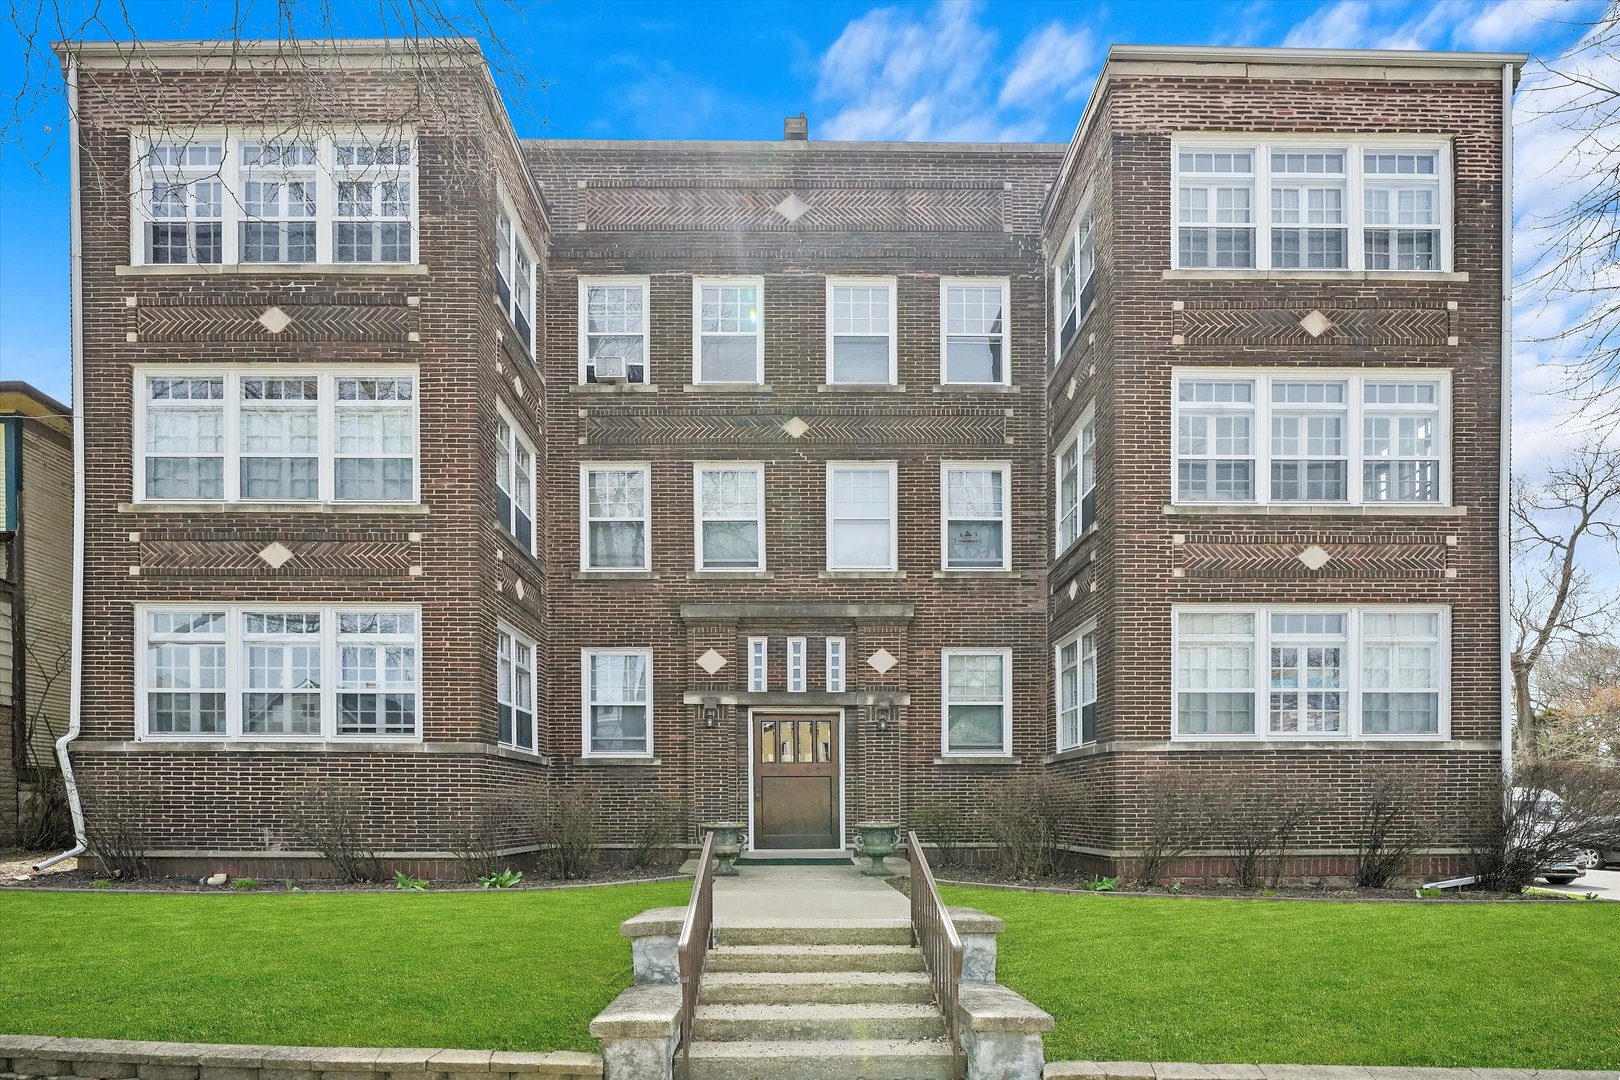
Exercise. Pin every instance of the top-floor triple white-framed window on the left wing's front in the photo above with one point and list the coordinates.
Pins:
(283, 198)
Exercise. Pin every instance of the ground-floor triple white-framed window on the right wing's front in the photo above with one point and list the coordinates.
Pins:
(1315, 673)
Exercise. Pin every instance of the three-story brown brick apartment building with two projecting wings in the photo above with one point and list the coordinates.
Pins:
(798, 483)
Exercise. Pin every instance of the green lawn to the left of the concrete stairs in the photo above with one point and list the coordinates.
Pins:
(490, 971)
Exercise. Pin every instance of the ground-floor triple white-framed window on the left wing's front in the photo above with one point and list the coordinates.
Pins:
(278, 673)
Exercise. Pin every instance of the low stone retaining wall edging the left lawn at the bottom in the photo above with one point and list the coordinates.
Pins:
(41, 1057)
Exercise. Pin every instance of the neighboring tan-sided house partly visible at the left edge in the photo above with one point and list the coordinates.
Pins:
(36, 610)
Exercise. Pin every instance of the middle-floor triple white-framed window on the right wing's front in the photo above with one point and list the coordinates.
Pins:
(1354, 438)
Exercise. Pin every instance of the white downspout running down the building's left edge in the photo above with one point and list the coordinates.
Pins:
(77, 344)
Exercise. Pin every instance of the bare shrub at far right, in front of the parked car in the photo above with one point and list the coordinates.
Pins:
(1551, 810)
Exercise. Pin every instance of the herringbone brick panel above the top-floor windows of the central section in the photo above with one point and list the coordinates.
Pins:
(864, 210)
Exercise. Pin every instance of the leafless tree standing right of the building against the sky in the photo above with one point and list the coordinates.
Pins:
(1558, 603)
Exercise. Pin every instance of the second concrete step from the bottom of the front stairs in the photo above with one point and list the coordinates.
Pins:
(740, 1024)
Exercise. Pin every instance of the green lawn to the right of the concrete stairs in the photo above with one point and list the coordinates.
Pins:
(1512, 985)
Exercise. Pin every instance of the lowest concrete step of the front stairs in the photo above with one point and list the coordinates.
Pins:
(822, 1060)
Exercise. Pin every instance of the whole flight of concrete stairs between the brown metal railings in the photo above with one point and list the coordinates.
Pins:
(798, 1000)
